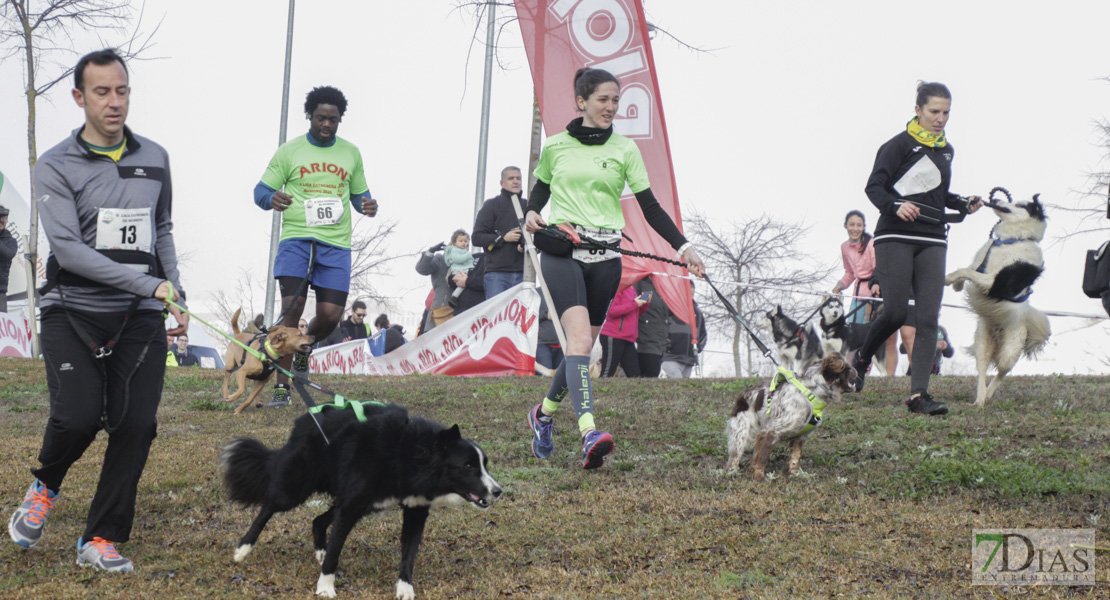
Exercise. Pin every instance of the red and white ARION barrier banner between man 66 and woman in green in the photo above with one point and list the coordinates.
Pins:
(496, 338)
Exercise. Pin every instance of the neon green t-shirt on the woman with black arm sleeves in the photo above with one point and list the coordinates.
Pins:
(588, 181)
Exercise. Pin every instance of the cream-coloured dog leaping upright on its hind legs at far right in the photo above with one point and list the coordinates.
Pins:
(1002, 278)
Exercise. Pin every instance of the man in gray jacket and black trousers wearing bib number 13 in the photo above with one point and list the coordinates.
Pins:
(106, 210)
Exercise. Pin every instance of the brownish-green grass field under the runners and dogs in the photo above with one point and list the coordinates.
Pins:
(884, 509)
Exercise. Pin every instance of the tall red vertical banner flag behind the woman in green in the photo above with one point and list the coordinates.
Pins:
(564, 36)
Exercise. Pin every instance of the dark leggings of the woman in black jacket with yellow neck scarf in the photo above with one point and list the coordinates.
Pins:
(907, 271)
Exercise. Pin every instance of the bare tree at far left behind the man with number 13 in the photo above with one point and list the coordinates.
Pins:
(42, 34)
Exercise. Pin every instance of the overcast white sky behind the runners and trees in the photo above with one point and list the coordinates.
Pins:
(784, 116)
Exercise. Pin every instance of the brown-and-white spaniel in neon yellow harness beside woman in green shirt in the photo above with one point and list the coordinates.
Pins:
(792, 416)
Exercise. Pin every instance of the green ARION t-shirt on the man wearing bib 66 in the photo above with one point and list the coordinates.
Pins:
(321, 181)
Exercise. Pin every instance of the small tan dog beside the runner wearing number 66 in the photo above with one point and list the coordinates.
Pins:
(278, 343)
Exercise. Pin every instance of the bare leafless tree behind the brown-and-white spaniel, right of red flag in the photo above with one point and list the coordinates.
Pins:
(764, 257)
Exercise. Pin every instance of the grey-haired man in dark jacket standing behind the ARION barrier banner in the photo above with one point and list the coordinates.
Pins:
(498, 232)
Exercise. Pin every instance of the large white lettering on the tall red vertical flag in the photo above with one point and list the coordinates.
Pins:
(602, 30)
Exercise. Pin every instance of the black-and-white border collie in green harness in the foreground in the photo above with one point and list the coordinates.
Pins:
(390, 461)
